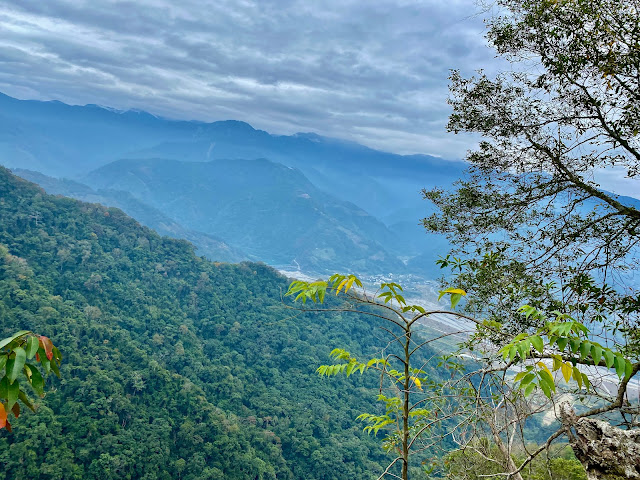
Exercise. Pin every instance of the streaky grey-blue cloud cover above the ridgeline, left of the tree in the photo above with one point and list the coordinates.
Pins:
(374, 72)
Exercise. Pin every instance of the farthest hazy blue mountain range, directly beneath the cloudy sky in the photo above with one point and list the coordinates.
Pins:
(69, 141)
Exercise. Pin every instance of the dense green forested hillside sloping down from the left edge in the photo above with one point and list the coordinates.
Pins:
(174, 366)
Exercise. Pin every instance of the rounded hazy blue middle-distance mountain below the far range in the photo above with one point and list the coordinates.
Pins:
(270, 211)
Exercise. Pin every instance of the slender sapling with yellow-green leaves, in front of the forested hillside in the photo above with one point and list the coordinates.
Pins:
(417, 407)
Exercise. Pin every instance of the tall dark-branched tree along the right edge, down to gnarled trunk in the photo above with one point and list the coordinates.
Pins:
(538, 228)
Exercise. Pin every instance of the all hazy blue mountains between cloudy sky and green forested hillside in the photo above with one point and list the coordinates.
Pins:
(302, 201)
